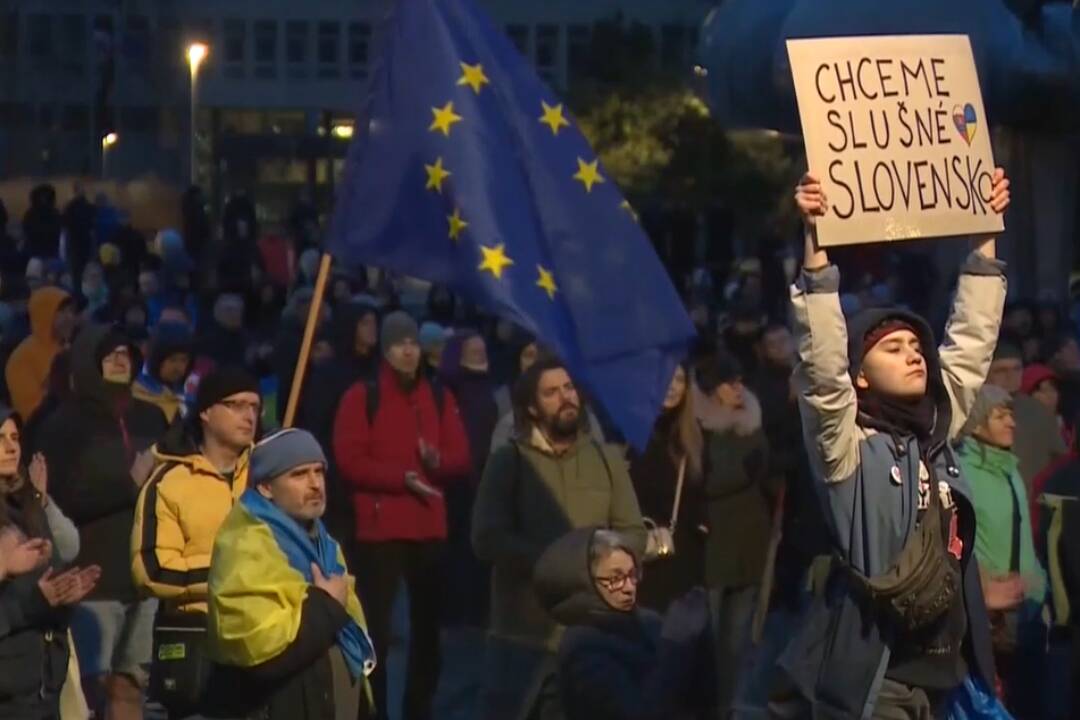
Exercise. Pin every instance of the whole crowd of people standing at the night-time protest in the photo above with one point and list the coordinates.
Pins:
(776, 550)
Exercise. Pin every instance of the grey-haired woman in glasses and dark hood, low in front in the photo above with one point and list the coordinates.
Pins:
(616, 660)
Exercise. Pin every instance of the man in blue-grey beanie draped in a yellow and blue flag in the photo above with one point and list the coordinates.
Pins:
(287, 629)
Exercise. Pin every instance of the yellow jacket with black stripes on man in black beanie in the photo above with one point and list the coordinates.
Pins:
(180, 512)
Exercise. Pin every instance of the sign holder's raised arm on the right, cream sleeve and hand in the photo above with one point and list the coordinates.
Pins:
(971, 334)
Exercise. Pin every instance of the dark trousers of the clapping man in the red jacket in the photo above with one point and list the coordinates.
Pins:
(380, 568)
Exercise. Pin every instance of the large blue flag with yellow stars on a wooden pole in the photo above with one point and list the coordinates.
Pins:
(467, 171)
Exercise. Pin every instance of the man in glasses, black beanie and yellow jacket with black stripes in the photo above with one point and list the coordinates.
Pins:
(202, 472)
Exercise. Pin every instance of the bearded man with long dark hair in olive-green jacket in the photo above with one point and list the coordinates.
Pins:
(551, 480)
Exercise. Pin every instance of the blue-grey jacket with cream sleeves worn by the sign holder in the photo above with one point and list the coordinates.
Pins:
(840, 656)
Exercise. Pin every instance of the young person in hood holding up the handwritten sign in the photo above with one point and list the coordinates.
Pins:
(880, 406)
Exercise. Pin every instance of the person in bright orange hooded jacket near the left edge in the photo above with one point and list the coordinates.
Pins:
(52, 324)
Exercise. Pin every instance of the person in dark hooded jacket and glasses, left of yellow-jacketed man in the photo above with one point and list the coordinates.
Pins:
(97, 449)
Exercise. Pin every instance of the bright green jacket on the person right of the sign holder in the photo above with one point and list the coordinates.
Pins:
(995, 480)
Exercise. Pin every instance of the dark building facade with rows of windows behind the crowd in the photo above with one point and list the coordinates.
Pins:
(275, 99)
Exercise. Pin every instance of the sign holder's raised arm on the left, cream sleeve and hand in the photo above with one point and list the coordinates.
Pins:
(828, 400)
